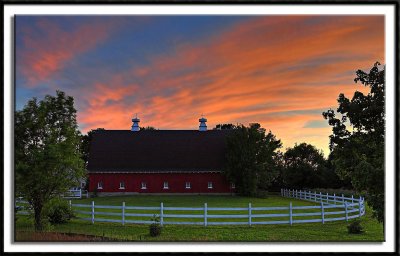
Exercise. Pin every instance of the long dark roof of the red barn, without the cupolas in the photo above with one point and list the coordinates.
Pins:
(159, 150)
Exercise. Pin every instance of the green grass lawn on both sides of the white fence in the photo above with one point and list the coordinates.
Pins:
(330, 231)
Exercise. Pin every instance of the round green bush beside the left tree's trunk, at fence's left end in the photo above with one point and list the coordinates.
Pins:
(57, 211)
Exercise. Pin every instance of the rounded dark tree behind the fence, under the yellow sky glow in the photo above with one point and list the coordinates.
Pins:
(305, 167)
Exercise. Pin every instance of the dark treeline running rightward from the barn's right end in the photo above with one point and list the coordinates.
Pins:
(255, 163)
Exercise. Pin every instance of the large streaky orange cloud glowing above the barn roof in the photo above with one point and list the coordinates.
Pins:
(278, 71)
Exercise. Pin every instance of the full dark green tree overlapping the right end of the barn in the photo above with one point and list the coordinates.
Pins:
(251, 159)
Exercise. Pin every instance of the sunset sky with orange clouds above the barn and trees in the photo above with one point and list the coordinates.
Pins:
(279, 71)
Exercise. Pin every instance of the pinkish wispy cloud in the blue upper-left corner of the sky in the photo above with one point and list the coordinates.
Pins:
(48, 47)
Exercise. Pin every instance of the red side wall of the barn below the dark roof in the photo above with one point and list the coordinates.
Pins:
(155, 182)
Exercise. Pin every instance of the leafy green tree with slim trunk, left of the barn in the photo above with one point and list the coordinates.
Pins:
(47, 151)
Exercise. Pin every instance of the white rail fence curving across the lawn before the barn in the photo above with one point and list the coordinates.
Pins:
(327, 208)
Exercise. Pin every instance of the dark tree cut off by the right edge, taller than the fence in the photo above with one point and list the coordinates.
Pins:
(358, 152)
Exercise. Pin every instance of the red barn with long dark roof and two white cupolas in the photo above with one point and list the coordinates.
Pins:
(158, 161)
